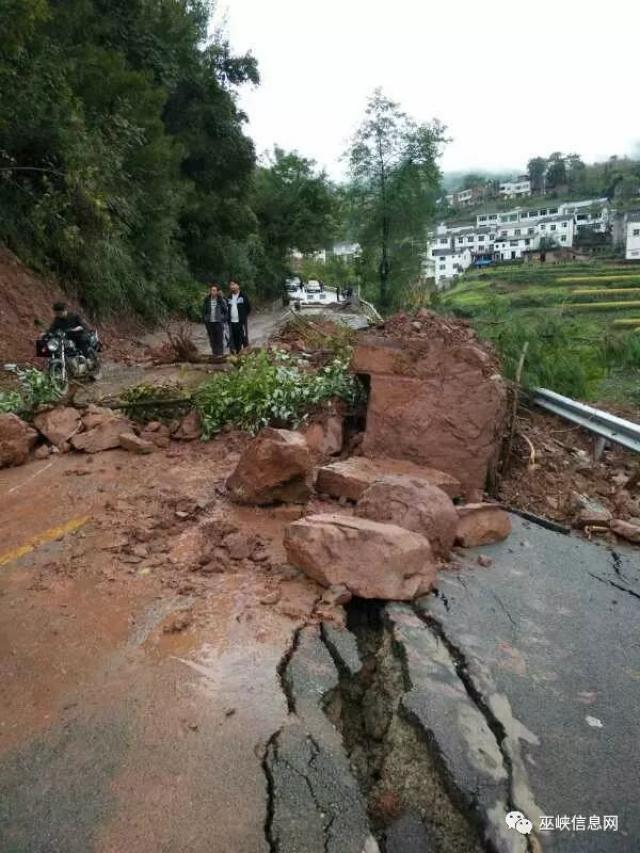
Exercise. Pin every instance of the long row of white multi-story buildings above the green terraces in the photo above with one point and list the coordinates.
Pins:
(507, 235)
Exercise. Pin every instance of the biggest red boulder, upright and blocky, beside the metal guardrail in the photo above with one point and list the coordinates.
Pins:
(436, 397)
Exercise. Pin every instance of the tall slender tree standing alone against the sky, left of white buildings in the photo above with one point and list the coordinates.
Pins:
(395, 182)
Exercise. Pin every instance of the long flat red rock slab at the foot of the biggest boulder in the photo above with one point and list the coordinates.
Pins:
(349, 478)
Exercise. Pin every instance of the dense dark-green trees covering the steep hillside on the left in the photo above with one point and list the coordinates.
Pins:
(125, 169)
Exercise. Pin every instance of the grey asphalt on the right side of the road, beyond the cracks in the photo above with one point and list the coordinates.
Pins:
(547, 640)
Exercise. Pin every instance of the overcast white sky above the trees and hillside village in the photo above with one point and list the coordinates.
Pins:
(510, 79)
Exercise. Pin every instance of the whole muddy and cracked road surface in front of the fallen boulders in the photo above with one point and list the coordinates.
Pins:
(170, 683)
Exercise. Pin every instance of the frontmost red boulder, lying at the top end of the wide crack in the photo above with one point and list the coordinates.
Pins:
(370, 559)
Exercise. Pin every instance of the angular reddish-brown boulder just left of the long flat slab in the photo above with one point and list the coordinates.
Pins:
(275, 467)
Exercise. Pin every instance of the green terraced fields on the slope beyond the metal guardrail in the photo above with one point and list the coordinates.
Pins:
(581, 321)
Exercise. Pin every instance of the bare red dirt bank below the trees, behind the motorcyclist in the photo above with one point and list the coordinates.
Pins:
(25, 312)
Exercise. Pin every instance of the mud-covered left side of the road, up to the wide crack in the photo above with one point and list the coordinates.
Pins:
(174, 686)
